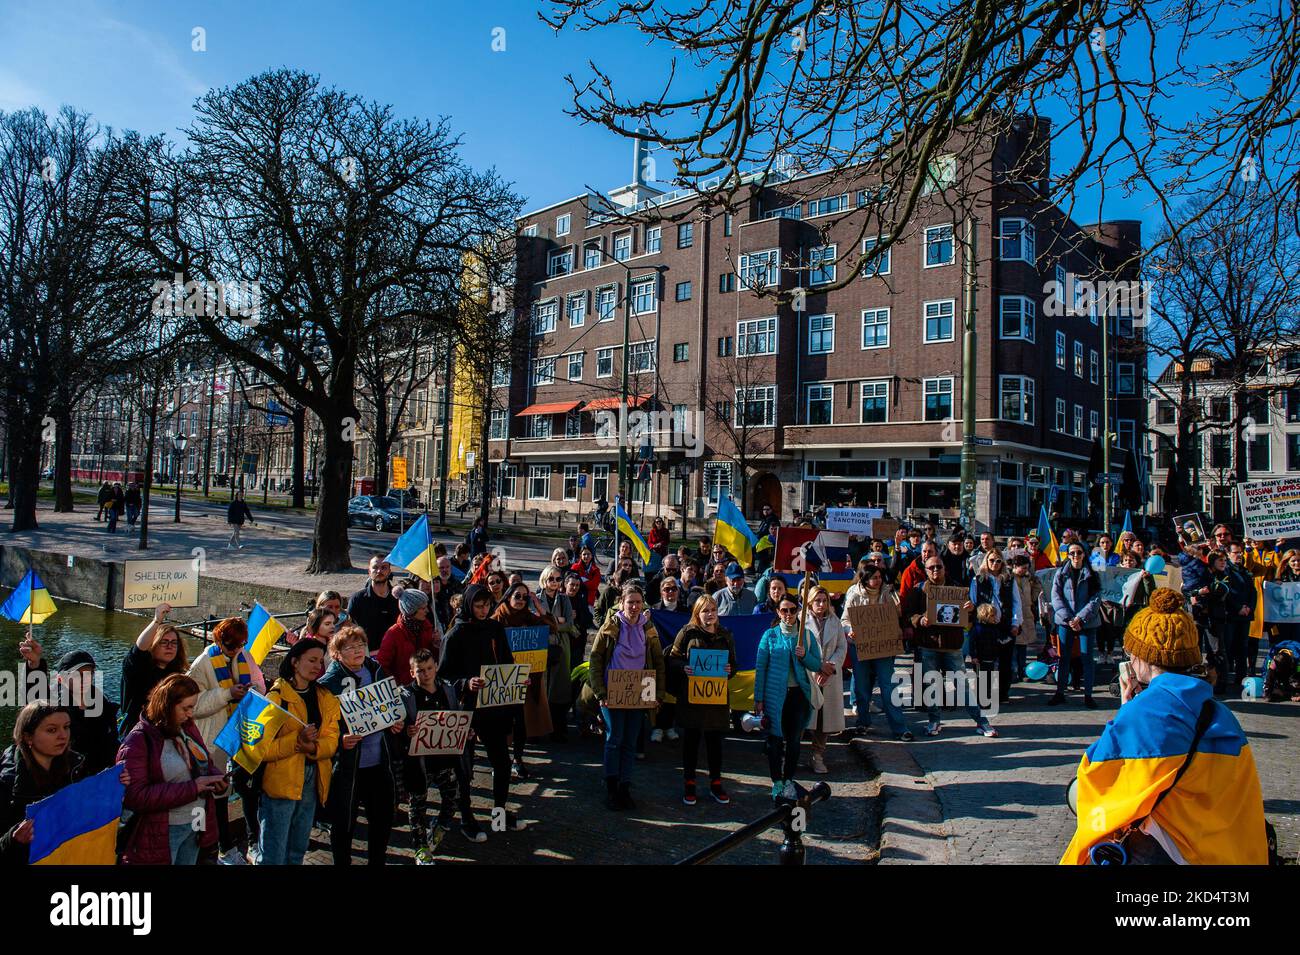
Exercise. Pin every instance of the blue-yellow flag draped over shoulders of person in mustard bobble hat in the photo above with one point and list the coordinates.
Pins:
(1215, 815)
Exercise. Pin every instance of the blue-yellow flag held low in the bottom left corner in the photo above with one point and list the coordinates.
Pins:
(79, 824)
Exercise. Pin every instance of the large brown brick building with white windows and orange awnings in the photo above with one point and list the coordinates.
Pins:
(855, 400)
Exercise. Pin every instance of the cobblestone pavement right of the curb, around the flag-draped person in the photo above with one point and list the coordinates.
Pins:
(1003, 801)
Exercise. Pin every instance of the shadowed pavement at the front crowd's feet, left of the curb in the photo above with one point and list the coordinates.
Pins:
(567, 821)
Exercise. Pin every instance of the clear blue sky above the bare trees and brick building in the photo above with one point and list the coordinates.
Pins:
(132, 66)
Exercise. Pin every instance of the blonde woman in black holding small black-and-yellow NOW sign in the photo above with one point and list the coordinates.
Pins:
(708, 722)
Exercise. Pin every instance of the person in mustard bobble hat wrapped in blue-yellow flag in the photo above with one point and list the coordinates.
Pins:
(1215, 814)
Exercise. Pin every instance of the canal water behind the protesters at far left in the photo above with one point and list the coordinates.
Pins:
(107, 635)
